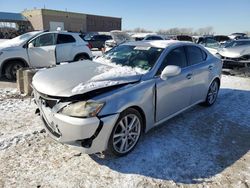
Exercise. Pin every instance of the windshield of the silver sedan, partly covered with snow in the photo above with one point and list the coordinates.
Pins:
(143, 57)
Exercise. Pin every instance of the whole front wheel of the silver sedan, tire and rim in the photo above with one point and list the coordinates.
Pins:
(126, 133)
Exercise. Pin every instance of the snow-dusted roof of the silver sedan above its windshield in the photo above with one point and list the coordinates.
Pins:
(157, 43)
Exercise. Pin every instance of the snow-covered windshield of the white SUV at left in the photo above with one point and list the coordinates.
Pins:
(20, 39)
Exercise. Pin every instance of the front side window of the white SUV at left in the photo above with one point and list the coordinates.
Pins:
(44, 40)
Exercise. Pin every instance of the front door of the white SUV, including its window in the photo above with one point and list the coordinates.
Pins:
(42, 51)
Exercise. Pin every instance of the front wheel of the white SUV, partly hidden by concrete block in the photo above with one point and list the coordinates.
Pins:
(11, 69)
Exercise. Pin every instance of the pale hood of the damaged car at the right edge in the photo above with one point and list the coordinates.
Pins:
(235, 52)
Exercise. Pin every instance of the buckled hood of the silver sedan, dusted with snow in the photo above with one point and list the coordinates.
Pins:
(81, 77)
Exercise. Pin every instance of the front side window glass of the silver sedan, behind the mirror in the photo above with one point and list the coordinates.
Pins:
(175, 57)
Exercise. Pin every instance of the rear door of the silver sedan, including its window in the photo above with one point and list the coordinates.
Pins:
(201, 72)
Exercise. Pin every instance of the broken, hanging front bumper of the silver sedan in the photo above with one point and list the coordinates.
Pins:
(88, 135)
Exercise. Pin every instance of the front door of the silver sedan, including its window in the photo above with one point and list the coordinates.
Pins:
(173, 94)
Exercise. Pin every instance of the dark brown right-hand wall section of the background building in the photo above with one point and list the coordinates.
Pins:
(102, 23)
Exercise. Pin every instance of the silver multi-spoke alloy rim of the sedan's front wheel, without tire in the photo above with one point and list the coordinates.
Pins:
(127, 133)
